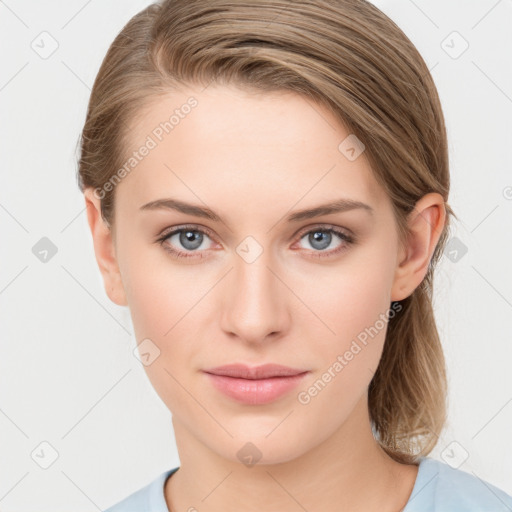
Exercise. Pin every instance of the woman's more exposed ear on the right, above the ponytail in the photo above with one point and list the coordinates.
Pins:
(426, 223)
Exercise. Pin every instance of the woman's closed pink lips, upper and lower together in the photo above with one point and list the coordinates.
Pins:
(255, 385)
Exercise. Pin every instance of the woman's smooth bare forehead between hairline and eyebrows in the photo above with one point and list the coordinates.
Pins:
(277, 146)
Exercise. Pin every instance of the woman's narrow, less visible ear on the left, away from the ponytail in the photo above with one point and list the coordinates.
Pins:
(104, 249)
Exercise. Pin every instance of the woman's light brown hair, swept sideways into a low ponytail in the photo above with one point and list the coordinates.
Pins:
(350, 57)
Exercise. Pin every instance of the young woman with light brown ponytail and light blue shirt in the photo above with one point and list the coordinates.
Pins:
(266, 185)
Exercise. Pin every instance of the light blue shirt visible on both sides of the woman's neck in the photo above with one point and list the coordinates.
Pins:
(438, 488)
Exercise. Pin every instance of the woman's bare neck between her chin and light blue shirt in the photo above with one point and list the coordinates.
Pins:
(347, 471)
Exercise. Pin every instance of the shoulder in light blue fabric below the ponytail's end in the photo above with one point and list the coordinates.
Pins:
(439, 487)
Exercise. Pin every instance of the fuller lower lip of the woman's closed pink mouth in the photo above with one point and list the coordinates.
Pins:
(255, 391)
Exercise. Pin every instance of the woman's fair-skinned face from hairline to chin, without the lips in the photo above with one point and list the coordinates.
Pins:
(254, 282)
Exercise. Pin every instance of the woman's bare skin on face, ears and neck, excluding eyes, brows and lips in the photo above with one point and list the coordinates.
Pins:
(253, 159)
